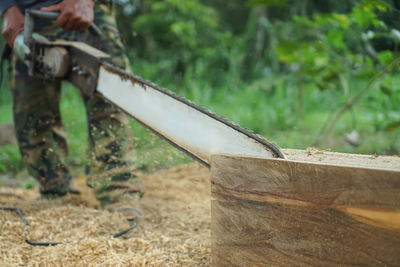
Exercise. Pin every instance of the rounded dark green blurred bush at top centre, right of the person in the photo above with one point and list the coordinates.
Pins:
(178, 34)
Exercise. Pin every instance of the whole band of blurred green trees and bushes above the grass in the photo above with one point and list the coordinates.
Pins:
(304, 45)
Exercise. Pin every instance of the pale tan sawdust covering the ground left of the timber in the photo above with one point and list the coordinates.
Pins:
(175, 230)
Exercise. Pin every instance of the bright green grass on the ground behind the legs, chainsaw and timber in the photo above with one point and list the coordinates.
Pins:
(268, 106)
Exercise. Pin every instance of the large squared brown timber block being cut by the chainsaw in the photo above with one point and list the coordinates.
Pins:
(319, 209)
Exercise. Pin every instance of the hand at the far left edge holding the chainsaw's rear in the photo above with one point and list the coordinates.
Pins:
(13, 24)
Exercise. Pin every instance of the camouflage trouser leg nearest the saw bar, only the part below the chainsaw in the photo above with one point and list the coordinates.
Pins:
(110, 160)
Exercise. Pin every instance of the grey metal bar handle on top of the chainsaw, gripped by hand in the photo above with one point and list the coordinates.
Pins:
(32, 14)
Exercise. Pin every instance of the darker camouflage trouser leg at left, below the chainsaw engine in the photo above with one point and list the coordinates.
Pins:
(39, 131)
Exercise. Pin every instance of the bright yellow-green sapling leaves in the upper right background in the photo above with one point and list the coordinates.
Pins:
(325, 46)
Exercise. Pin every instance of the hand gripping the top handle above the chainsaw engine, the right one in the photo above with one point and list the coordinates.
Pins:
(75, 15)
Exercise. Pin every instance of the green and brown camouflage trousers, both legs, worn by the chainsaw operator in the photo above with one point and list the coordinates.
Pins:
(41, 135)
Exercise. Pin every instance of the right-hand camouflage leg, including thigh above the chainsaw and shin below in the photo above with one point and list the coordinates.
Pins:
(110, 160)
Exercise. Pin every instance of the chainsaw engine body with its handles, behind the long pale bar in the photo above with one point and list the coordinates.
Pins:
(49, 59)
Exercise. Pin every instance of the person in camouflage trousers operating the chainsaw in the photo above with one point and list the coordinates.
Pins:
(38, 125)
